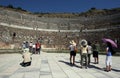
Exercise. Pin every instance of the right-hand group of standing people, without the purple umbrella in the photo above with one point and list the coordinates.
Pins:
(86, 49)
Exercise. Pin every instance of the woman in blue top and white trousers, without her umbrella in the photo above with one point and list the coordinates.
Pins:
(109, 51)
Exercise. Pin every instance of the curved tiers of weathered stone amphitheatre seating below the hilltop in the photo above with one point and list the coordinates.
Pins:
(58, 30)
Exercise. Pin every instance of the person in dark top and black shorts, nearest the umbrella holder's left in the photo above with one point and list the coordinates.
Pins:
(96, 48)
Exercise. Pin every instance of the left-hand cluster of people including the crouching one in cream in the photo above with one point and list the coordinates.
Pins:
(28, 50)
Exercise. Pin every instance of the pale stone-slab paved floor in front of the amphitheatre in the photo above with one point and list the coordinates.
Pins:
(54, 65)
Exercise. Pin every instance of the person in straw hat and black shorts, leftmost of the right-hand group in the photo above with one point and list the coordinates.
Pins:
(72, 52)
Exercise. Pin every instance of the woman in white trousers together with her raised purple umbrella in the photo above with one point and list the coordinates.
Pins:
(109, 52)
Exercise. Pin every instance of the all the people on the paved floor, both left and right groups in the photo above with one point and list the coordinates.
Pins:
(86, 49)
